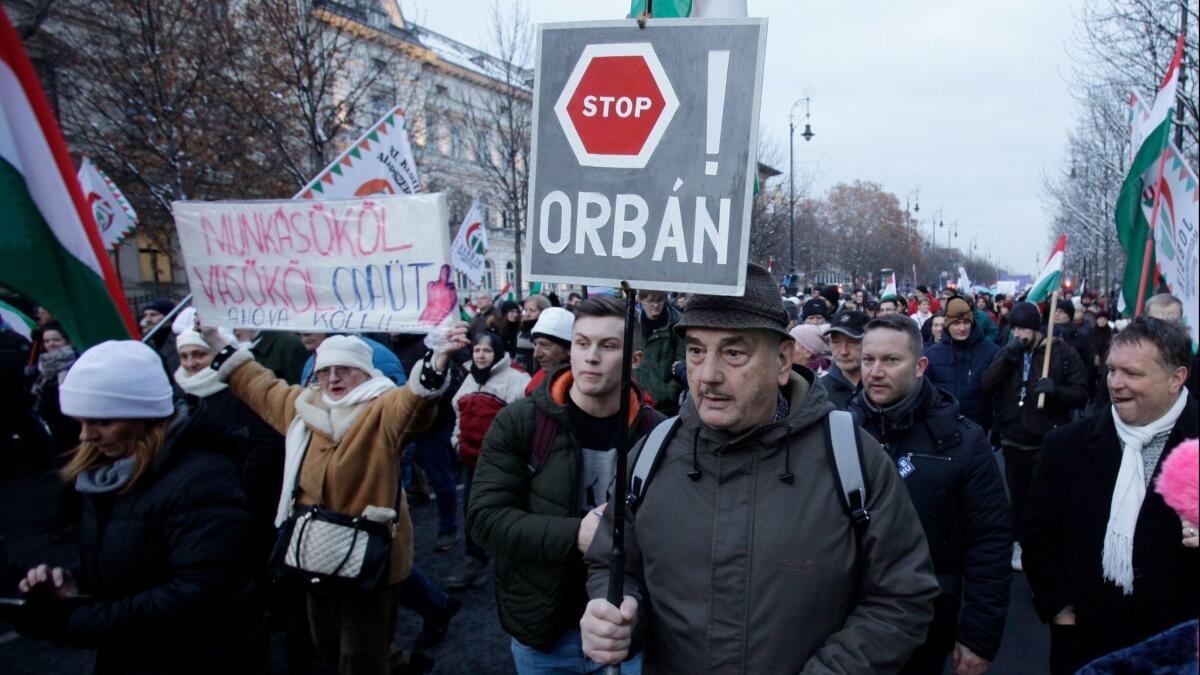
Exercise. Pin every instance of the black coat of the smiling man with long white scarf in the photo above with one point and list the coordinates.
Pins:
(1064, 528)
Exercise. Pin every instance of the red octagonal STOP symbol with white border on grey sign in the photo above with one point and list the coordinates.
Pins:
(616, 106)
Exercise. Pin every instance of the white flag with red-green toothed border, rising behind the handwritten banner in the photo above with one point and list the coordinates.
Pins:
(380, 163)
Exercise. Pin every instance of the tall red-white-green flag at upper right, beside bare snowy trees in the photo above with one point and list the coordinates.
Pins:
(1150, 135)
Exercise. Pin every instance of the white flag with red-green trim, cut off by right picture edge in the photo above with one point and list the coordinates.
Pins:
(1175, 236)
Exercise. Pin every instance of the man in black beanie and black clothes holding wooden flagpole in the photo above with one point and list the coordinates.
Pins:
(1015, 383)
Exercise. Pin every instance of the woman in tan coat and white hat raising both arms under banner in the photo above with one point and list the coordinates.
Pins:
(344, 444)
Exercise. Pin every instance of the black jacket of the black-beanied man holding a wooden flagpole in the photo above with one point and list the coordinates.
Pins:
(1024, 423)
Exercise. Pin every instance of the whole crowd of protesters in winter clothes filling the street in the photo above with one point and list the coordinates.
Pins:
(820, 482)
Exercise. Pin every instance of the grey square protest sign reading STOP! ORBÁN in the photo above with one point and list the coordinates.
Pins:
(644, 153)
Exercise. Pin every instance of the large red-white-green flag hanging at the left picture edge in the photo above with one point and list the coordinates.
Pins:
(50, 246)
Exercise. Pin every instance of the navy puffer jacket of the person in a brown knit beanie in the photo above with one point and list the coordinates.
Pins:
(957, 368)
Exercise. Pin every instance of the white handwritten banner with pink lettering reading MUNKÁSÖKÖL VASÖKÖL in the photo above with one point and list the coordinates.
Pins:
(353, 266)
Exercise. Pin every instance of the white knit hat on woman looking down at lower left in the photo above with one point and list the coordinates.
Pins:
(117, 380)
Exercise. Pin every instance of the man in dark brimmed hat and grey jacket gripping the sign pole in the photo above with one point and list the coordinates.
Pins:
(748, 456)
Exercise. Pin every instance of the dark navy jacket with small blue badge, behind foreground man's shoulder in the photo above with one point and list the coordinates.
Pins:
(957, 488)
